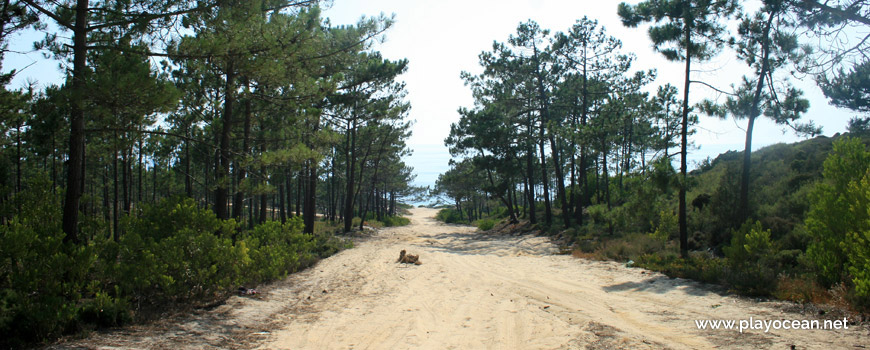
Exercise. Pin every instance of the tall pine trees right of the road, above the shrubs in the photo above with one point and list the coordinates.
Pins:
(562, 119)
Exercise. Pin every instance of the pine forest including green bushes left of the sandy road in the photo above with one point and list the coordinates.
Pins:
(194, 147)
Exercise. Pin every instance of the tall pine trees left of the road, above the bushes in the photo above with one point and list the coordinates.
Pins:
(257, 109)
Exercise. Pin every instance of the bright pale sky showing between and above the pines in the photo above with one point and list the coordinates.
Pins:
(443, 38)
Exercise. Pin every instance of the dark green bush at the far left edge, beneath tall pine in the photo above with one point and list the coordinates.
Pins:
(41, 277)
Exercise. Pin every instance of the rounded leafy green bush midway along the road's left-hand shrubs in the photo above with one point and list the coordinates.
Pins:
(175, 251)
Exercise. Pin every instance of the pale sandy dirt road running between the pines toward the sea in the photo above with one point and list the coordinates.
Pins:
(475, 291)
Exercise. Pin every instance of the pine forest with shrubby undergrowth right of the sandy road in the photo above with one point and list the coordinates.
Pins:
(567, 137)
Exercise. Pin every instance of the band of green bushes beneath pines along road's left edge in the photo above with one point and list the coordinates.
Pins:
(171, 252)
